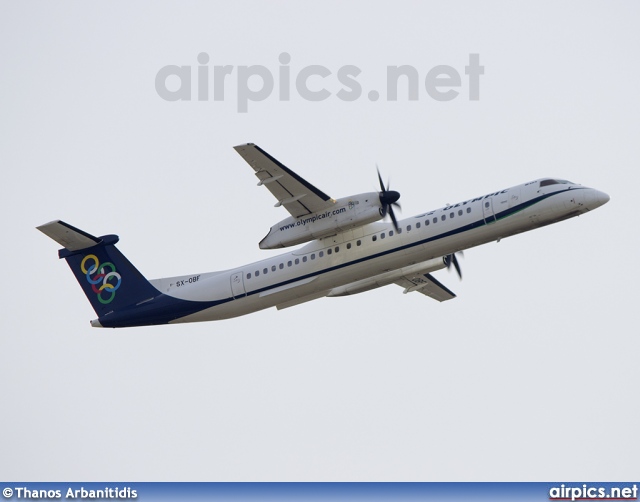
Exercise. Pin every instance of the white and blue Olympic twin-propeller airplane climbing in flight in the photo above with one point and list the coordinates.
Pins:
(347, 249)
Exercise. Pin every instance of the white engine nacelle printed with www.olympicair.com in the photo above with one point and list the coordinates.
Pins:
(346, 213)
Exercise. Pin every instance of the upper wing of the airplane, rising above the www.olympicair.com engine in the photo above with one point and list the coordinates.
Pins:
(297, 195)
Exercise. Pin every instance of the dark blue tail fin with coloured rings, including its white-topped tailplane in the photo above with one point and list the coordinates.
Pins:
(108, 279)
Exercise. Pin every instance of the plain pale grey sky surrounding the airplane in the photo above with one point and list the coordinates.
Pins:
(530, 374)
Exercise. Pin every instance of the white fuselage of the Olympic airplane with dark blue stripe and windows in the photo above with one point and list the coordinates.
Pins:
(336, 265)
